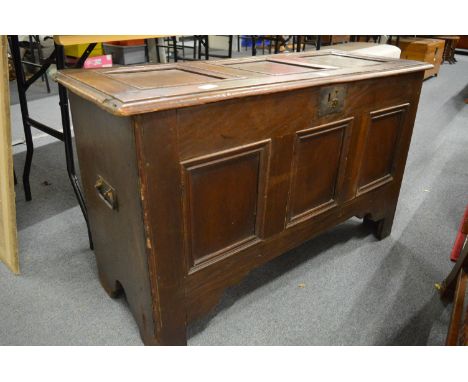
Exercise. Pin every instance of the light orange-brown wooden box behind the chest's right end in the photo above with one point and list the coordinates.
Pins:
(428, 50)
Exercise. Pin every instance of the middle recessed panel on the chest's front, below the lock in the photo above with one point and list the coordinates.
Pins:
(317, 169)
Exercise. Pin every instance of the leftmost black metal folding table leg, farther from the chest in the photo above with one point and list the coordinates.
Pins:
(20, 81)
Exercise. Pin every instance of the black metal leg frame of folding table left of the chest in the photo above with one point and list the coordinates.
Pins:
(58, 57)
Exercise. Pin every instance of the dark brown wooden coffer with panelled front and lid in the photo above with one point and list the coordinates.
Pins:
(196, 173)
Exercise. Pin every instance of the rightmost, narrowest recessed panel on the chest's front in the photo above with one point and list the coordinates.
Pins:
(383, 131)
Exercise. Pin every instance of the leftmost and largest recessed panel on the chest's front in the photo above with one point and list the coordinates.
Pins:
(224, 202)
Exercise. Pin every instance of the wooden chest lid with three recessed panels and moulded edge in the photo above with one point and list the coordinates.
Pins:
(145, 88)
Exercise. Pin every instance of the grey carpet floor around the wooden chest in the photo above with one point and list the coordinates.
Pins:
(356, 290)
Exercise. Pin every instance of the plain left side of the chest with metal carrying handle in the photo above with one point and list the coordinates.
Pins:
(107, 156)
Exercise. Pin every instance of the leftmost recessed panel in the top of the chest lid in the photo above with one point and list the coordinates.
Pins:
(162, 78)
